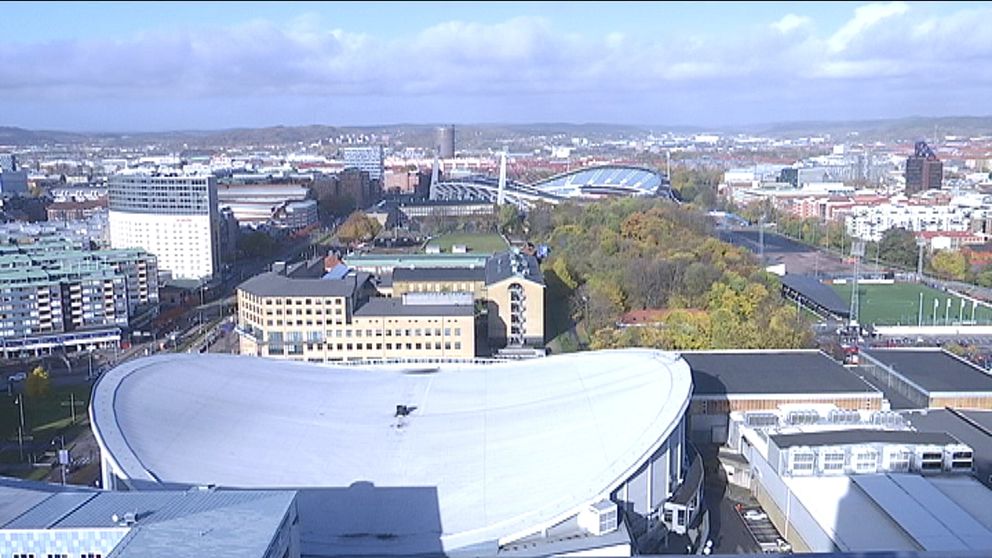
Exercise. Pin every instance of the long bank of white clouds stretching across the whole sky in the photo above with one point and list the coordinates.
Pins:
(515, 58)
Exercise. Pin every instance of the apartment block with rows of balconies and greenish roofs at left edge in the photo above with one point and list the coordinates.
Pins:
(53, 293)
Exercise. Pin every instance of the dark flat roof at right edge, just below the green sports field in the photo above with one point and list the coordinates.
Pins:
(934, 370)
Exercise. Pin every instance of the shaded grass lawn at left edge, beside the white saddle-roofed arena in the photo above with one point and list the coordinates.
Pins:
(43, 416)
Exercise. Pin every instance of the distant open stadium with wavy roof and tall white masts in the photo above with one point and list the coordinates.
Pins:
(589, 183)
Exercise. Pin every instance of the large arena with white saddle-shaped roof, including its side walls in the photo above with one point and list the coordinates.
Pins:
(569, 453)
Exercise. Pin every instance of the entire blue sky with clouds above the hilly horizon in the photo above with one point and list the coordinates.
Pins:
(109, 66)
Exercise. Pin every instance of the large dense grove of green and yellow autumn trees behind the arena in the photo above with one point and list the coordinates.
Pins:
(614, 256)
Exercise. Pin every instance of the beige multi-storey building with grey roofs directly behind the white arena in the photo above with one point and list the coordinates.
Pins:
(295, 314)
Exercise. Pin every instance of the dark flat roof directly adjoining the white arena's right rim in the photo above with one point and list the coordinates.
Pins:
(770, 372)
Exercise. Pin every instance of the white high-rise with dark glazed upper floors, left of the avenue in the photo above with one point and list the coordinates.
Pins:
(173, 217)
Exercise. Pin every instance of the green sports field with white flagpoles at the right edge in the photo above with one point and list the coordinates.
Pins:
(899, 304)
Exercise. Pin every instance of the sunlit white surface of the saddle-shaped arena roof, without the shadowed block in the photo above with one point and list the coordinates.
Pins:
(507, 446)
